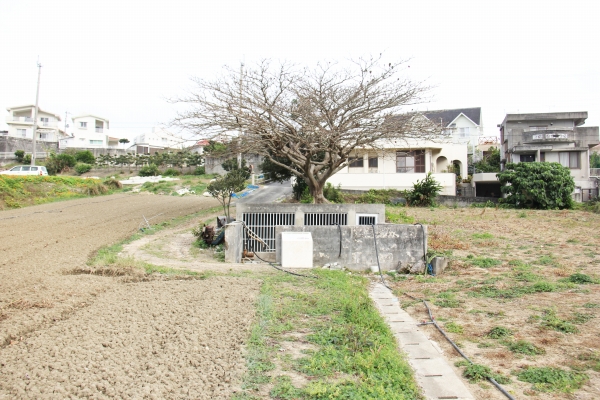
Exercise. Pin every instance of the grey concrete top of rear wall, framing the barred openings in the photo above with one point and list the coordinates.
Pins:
(299, 209)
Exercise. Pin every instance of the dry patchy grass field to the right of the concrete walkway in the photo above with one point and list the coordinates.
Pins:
(516, 296)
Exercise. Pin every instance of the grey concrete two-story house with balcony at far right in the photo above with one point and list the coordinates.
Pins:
(551, 137)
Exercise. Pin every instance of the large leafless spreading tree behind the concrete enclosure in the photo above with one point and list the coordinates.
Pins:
(313, 119)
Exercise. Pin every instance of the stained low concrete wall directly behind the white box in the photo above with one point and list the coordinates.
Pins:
(395, 244)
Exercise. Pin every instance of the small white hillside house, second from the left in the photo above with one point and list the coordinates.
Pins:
(90, 131)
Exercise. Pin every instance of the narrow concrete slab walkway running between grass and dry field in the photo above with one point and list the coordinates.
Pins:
(432, 372)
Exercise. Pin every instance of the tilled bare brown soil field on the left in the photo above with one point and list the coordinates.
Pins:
(93, 336)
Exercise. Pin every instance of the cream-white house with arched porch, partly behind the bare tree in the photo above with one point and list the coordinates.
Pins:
(400, 165)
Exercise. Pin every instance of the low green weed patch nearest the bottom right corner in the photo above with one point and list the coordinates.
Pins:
(550, 379)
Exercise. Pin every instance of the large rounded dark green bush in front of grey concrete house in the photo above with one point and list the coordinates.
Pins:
(539, 185)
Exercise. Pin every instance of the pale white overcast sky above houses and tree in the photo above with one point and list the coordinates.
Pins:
(121, 59)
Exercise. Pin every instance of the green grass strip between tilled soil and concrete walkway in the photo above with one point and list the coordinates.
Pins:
(351, 341)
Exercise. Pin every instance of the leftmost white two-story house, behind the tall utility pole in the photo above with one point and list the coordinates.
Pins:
(20, 124)
